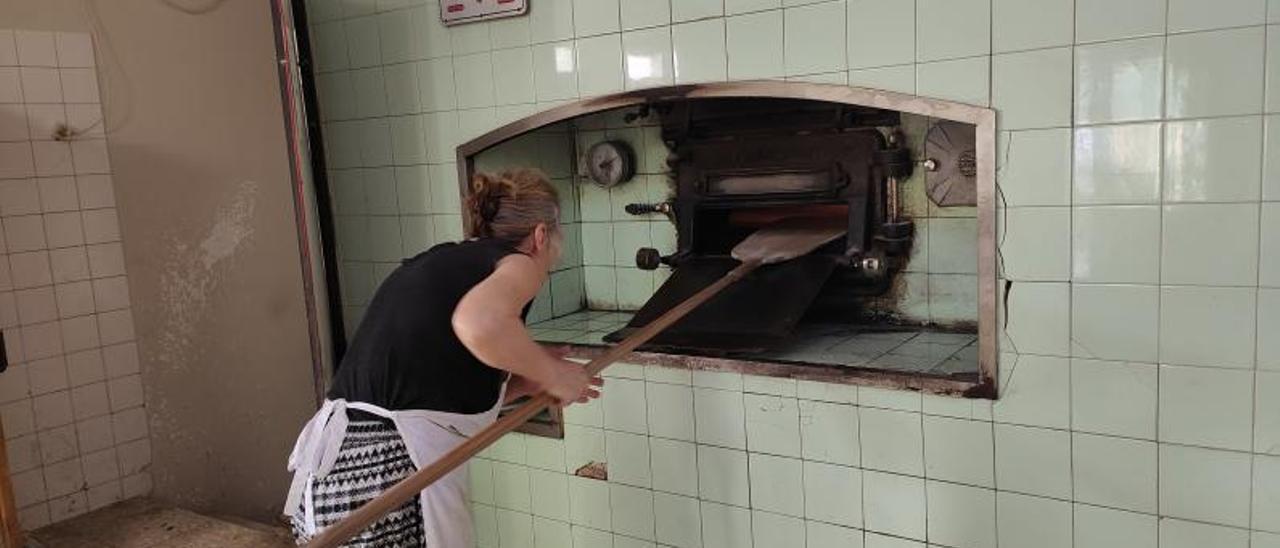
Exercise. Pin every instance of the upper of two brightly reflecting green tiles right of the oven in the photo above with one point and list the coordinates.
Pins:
(1119, 81)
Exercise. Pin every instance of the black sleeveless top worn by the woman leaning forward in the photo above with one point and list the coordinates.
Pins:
(405, 354)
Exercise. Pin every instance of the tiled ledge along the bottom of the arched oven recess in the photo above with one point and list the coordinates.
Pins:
(899, 349)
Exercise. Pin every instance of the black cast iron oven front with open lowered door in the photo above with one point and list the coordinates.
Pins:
(740, 165)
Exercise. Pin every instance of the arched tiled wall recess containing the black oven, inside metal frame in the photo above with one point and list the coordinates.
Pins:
(657, 193)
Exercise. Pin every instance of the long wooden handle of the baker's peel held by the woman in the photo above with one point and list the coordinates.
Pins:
(410, 487)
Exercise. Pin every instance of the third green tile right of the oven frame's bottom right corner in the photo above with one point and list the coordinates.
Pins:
(1206, 407)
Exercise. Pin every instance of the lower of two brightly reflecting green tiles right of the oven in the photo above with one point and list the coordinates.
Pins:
(1118, 165)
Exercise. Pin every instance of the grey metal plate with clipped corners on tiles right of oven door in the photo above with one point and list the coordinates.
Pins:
(953, 180)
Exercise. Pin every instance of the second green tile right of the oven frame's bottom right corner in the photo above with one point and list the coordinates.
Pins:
(1114, 398)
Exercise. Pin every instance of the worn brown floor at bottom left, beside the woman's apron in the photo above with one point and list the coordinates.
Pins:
(148, 524)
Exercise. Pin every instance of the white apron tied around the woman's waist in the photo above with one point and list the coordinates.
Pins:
(428, 436)
